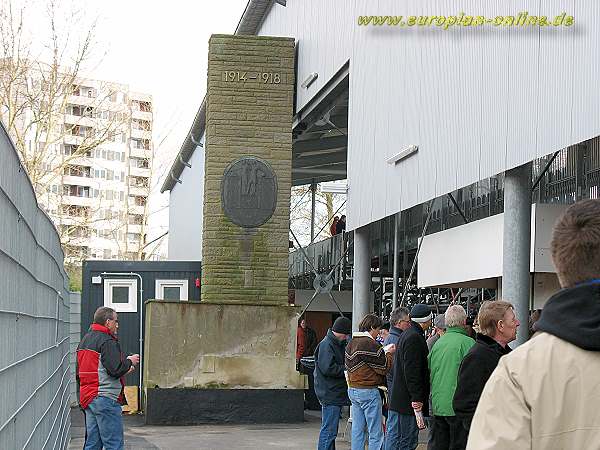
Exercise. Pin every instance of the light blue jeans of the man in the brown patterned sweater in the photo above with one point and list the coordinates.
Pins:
(366, 414)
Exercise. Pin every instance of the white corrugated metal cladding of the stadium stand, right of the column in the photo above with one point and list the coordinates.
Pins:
(476, 101)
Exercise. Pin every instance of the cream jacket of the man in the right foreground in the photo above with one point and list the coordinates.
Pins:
(543, 395)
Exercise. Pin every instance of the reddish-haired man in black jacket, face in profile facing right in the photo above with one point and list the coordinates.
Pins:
(498, 327)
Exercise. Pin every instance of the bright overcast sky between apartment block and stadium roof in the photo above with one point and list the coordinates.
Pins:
(160, 48)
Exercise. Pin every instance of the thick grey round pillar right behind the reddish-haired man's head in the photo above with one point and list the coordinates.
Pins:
(517, 244)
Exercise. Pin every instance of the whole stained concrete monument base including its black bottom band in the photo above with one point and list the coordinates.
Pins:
(240, 359)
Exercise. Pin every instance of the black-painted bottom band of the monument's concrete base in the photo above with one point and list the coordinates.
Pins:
(181, 406)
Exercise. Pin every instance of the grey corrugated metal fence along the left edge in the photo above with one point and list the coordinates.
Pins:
(34, 317)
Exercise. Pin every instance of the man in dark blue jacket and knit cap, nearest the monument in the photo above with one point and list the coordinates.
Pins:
(330, 382)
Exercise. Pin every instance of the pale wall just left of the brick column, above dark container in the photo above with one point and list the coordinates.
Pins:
(186, 206)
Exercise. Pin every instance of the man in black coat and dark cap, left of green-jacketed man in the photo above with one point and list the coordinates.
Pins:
(410, 392)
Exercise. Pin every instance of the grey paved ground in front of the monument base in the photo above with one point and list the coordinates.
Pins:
(211, 437)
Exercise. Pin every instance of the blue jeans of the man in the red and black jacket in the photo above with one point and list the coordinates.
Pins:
(104, 425)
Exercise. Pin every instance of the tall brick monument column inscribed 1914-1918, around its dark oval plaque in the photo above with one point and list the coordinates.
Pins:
(247, 117)
